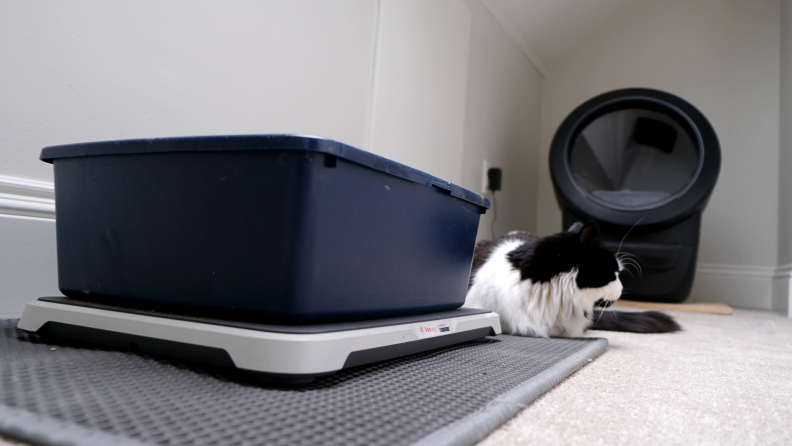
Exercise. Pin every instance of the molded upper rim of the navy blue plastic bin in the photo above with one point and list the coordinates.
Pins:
(258, 143)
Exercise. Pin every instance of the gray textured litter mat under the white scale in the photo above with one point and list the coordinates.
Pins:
(60, 393)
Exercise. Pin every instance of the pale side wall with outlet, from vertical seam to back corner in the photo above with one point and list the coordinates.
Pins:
(451, 90)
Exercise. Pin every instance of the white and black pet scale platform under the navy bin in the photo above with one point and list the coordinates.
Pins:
(295, 353)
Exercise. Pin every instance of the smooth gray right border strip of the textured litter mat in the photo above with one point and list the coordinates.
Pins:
(474, 427)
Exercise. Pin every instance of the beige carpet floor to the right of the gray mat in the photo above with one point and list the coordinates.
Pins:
(724, 380)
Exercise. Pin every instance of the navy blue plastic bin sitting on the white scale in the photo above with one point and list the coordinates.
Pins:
(292, 227)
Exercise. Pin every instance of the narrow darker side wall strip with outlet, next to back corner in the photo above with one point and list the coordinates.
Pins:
(502, 124)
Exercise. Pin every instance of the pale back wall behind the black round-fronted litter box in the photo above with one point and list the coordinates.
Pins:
(723, 57)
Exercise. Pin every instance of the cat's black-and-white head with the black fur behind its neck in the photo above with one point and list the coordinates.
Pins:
(579, 249)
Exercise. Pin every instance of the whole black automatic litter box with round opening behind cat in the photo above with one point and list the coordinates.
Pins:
(641, 159)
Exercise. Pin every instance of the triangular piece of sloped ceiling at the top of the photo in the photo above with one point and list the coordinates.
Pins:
(546, 30)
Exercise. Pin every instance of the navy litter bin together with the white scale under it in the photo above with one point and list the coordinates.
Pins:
(281, 254)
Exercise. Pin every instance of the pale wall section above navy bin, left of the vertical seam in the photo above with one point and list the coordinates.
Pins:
(91, 71)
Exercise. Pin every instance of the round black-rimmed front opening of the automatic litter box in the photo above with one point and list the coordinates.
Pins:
(634, 154)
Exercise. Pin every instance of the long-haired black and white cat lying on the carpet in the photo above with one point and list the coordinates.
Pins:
(548, 286)
